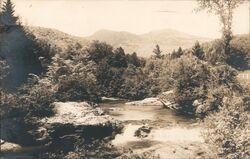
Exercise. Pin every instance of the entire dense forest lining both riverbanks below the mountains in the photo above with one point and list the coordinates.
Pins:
(34, 74)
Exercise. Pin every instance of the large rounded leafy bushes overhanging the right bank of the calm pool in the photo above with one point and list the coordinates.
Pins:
(198, 86)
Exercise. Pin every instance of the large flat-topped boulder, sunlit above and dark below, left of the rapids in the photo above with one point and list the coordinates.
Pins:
(73, 122)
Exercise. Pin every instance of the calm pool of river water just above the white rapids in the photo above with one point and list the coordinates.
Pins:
(123, 112)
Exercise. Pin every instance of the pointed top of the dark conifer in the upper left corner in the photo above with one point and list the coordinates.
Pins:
(7, 15)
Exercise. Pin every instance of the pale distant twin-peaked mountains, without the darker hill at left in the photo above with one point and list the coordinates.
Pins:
(143, 44)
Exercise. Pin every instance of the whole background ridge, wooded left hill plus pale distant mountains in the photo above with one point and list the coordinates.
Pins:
(141, 44)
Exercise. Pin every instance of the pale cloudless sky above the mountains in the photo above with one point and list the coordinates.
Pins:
(84, 17)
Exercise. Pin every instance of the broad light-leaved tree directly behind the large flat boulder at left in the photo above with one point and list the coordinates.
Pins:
(73, 76)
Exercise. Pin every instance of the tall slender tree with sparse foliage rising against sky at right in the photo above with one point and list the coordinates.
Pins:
(224, 9)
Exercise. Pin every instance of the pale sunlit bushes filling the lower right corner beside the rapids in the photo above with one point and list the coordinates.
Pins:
(227, 130)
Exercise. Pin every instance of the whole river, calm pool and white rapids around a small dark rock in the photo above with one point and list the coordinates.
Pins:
(172, 135)
